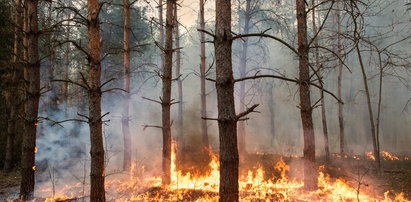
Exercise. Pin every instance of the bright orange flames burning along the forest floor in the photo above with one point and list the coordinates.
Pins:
(254, 185)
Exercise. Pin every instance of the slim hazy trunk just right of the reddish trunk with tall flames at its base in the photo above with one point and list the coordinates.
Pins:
(180, 123)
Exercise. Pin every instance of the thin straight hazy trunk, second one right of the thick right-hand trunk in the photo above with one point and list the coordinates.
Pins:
(339, 82)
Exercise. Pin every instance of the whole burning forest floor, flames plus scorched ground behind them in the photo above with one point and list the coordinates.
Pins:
(265, 177)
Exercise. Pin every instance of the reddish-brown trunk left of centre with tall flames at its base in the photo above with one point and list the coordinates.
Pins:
(166, 98)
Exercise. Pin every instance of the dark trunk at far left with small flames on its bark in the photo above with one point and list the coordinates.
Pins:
(32, 76)
